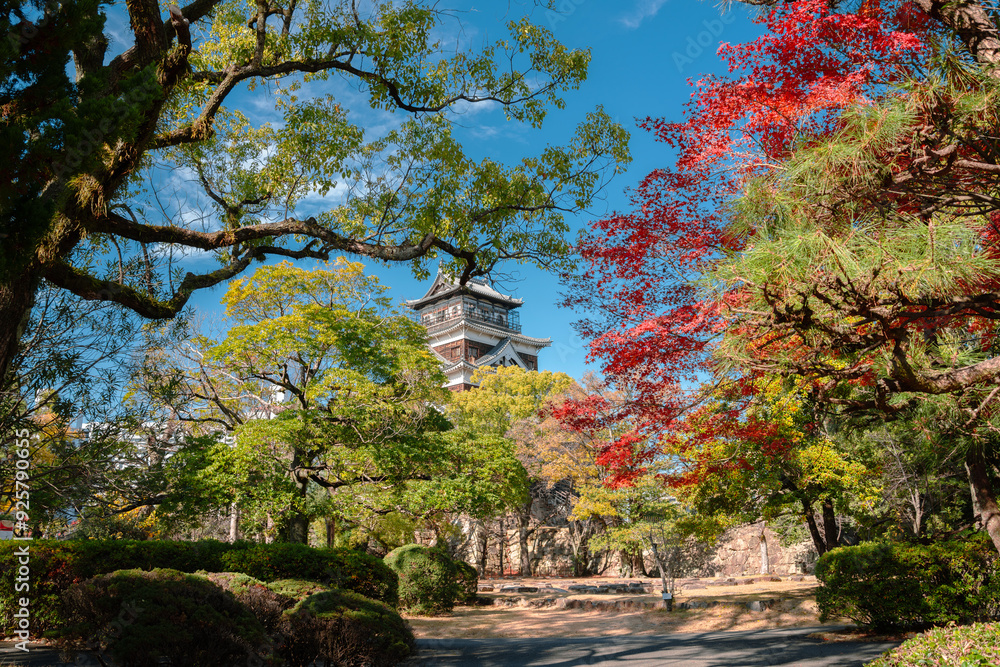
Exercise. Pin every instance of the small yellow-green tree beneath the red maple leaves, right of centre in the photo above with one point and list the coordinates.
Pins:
(773, 458)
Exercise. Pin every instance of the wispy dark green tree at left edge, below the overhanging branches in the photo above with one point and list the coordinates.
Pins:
(89, 451)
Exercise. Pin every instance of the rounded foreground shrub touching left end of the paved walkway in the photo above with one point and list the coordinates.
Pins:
(347, 629)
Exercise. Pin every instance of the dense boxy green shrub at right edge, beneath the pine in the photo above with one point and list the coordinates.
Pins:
(890, 586)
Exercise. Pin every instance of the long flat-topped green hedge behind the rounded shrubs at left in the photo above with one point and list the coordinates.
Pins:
(56, 565)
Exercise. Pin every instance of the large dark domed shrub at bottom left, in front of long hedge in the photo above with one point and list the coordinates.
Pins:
(141, 617)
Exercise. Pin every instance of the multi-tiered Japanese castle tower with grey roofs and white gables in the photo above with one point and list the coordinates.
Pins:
(474, 325)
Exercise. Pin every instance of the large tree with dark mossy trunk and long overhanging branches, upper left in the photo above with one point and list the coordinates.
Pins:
(80, 141)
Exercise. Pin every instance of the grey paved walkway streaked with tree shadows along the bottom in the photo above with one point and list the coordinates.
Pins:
(736, 649)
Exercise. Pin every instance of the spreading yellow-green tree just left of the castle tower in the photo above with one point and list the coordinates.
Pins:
(328, 395)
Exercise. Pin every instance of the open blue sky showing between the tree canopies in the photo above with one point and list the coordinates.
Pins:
(644, 52)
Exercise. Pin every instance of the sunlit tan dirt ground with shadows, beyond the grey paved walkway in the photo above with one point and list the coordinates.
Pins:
(796, 607)
